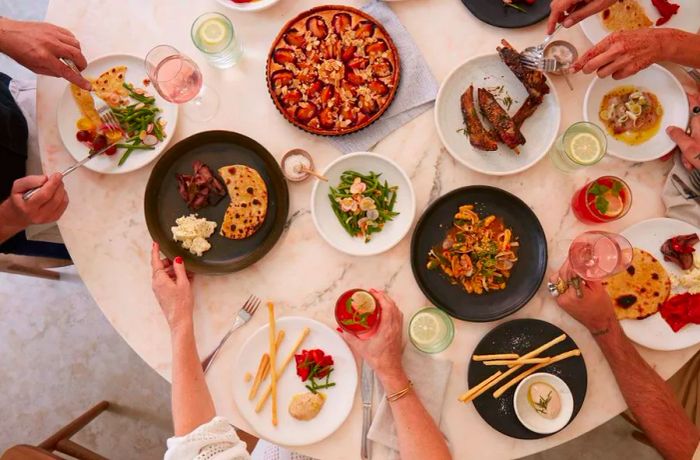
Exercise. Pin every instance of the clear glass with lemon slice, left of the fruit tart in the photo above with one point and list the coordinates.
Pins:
(213, 34)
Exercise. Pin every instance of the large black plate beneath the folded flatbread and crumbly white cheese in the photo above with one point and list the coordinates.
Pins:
(163, 203)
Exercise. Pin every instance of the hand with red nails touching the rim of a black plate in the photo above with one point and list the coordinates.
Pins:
(172, 288)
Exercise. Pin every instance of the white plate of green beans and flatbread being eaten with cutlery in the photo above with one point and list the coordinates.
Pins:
(147, 120)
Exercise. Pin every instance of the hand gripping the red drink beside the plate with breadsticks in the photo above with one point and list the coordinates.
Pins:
(383, 350)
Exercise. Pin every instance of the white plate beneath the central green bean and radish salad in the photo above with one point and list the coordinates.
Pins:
(327, 223)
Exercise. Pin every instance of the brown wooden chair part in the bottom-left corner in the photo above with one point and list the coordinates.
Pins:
(60, 441)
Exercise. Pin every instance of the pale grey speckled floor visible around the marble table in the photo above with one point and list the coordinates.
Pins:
(59, 356)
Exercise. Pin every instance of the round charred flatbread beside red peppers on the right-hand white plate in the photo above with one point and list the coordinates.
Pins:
(640, 290)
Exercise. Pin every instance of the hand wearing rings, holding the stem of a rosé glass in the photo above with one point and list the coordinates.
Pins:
(594, 309)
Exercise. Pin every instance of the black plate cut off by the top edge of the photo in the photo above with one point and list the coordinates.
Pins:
(497, 14)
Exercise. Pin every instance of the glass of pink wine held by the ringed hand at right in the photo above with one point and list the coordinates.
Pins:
(597, 255)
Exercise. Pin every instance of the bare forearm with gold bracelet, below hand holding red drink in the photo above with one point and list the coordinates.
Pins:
(419, 436)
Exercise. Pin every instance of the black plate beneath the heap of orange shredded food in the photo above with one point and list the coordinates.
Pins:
(527, 273)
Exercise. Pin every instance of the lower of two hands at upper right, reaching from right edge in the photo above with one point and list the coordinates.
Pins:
(623, 53)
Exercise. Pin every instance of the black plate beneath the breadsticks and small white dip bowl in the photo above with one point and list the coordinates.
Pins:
(521, 336)
